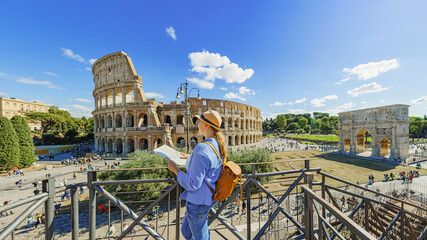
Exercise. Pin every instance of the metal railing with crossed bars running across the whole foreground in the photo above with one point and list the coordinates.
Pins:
(294, 211)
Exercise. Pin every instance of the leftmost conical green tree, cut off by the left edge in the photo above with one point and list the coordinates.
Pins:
(9, 145)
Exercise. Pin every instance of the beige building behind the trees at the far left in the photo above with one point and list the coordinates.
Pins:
(10, 107)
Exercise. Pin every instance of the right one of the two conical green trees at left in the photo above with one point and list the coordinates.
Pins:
(26, 145)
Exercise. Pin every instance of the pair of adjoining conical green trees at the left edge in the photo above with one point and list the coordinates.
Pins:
(16, 144)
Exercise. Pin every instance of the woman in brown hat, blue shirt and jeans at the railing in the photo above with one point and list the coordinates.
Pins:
(203, 169)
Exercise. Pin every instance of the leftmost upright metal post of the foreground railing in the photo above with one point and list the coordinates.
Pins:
(49, 187)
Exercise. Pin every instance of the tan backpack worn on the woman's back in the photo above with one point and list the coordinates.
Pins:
(227, 179)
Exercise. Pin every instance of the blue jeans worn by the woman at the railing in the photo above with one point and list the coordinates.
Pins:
(195, 223)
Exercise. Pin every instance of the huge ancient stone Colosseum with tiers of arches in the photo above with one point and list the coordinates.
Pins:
(125, 120)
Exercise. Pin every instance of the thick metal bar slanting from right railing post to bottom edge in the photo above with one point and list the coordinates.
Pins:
(350, 224)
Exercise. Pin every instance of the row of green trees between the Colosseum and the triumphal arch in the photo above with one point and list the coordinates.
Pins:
(302, 123)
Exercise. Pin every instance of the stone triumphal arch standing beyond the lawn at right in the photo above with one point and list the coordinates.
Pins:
(386, 127)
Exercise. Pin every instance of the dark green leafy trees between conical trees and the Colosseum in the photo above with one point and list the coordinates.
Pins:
(59, 127)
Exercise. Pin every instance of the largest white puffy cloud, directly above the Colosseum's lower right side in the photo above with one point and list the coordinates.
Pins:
(211, 66)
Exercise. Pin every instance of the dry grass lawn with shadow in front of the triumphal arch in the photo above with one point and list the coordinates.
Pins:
(347, 168)
